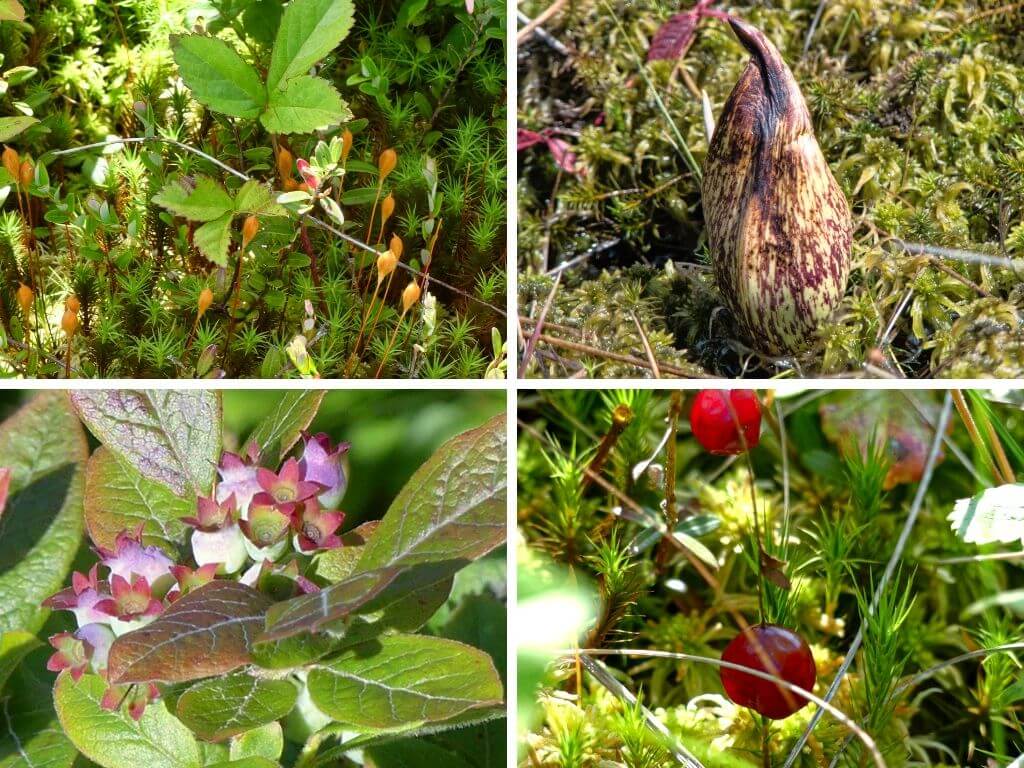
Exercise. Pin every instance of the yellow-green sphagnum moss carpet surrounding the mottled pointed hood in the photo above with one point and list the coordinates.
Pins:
(918, 110)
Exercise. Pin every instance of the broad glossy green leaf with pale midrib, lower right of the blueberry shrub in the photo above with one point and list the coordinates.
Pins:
(398, 681)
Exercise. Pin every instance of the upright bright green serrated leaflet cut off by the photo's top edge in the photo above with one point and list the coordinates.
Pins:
(310, 30)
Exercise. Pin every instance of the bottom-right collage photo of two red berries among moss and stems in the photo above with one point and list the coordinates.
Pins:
(821, 579)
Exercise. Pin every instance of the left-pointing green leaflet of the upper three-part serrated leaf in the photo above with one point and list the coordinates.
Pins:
(219, 77)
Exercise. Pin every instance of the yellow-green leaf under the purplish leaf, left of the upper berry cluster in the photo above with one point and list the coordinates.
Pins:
(118, 498)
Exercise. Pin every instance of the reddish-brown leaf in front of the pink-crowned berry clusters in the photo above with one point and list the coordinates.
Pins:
(205, 633)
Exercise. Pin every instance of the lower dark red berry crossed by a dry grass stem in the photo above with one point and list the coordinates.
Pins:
(779, 652)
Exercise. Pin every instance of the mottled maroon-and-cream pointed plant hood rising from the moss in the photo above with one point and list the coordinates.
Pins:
(779, 225)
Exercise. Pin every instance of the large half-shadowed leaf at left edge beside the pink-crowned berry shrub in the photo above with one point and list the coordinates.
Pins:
(45, 447)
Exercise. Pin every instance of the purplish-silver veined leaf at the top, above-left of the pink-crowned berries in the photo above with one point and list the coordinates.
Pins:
(172, 437)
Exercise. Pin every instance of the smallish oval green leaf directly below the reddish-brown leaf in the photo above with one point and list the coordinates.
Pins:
(225, 707)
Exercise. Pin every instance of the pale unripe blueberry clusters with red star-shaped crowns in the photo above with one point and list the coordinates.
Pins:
(257, 523)
